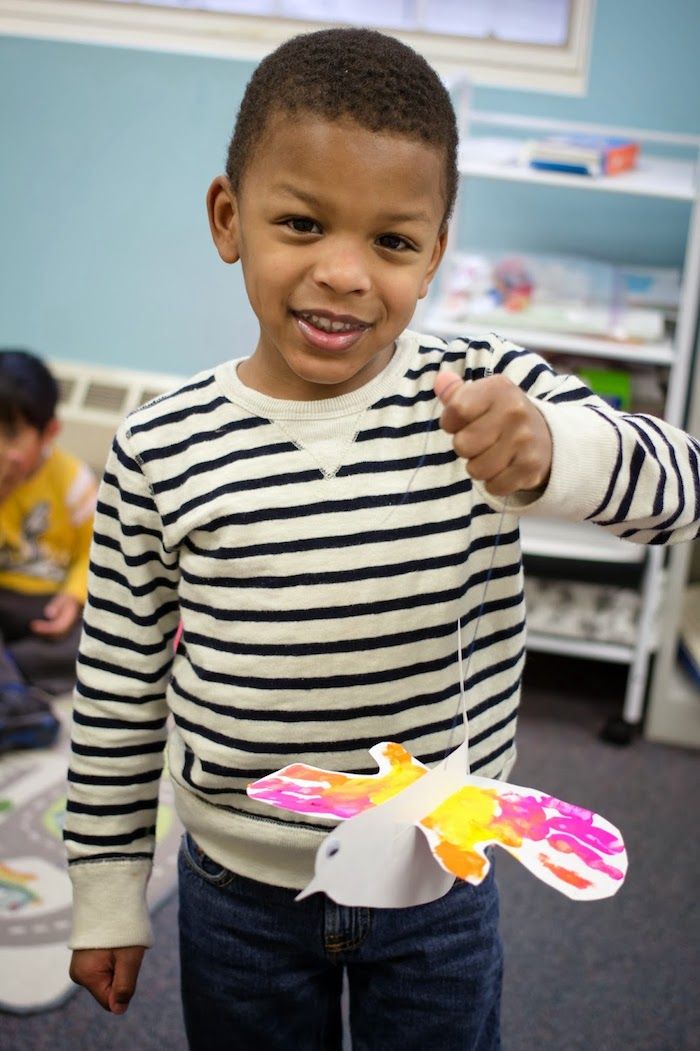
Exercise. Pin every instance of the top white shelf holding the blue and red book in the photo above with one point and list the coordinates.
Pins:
(499, 158)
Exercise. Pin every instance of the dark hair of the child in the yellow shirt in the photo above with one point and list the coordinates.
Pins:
(29, 393)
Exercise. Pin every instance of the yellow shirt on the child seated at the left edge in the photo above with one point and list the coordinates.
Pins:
(47, 528)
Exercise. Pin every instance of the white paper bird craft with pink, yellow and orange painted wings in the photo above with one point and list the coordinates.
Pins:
(410, 831)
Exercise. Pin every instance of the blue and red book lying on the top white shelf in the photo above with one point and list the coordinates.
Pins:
(582, 155)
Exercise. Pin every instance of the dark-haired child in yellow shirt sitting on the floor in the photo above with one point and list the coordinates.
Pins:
(47, 506)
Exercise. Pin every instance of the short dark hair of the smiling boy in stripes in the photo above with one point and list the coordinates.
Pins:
(372, 78)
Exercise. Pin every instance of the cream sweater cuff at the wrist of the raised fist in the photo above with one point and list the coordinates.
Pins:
(585, 450)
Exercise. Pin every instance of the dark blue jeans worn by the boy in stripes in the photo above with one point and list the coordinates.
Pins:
(263, 973)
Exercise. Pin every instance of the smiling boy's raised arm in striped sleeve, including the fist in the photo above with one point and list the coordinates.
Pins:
(551, 447)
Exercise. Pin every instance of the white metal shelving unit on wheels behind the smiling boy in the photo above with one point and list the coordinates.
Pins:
(672, 173)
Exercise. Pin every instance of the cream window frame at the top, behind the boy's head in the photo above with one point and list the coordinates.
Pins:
(246, 37)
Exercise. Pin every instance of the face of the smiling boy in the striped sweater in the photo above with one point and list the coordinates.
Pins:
(340, 232)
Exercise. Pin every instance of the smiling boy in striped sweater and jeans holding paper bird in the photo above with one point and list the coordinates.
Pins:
(312, 521)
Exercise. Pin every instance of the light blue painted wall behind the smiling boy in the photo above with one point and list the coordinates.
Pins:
(108, 154)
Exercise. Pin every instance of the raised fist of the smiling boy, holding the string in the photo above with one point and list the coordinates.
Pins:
(499, 431)
